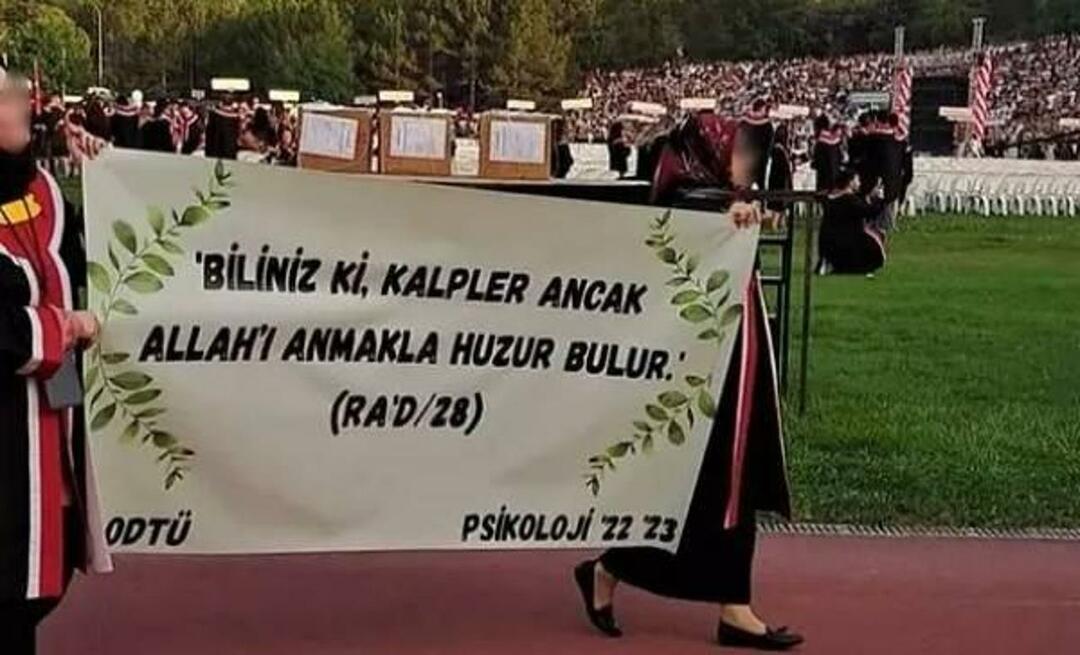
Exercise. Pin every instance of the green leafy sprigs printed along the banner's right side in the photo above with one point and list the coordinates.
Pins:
(705, 303)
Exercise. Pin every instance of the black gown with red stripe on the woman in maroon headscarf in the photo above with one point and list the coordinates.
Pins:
(744, 472)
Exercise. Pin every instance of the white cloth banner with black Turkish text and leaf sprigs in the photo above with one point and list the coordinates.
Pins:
(296, 362)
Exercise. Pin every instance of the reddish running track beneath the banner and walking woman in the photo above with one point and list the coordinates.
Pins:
(848, 596)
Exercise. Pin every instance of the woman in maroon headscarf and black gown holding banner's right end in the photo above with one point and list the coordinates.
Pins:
(744, 471)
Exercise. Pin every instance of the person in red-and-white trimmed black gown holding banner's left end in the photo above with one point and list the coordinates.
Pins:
(49, 519)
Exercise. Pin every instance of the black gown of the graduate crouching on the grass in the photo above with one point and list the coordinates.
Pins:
(846, 243)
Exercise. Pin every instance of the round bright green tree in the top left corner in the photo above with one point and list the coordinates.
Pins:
(47, 35)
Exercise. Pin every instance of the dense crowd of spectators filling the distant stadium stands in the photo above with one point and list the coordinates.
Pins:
(1035, 85)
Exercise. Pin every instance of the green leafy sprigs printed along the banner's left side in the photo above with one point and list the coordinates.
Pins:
(141, 265)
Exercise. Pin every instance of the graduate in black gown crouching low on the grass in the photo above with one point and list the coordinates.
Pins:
(848, 243)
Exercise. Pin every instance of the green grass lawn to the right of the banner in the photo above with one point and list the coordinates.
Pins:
(947, 392)
